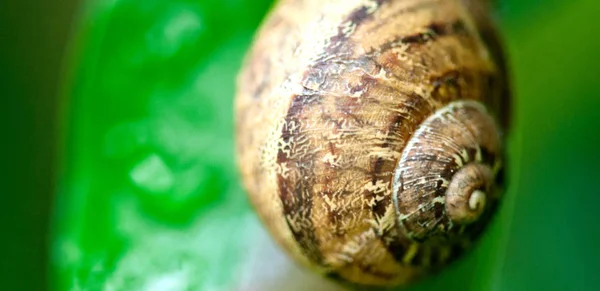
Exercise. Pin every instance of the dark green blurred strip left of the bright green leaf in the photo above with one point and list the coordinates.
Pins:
(32, 47)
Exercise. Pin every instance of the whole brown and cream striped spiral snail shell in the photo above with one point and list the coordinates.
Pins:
(369, 133)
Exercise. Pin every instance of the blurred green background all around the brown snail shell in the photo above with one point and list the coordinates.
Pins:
(121, 167)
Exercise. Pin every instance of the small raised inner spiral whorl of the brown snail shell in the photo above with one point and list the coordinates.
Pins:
(444, 179)
